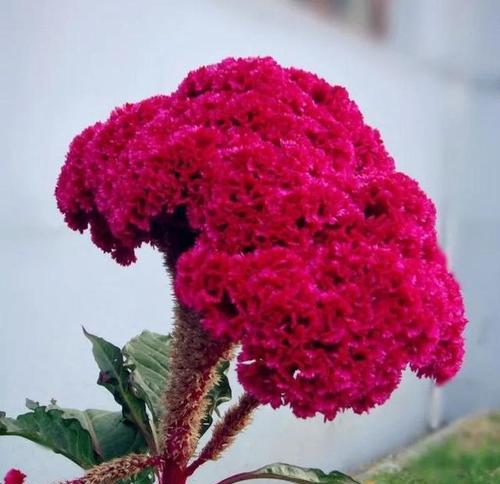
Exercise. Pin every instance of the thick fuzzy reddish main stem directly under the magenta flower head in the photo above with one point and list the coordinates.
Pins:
(193, 364)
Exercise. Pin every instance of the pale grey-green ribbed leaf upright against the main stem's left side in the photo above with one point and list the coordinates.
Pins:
(146, 356)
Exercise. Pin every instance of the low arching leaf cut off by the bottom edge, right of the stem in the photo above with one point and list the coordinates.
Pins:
(289, 473)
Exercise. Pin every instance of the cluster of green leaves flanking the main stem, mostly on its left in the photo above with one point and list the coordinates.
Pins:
(136, 377)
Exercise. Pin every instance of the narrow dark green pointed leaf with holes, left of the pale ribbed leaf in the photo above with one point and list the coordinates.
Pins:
(115, 377)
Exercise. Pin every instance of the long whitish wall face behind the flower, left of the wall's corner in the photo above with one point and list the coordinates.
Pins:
(68, 64)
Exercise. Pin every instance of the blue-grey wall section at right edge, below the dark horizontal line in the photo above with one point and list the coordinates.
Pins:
(474, 226)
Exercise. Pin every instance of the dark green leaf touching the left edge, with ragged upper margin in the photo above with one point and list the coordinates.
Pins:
(48, 427)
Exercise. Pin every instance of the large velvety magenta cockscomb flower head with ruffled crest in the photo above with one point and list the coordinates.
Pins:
(297, 238)
